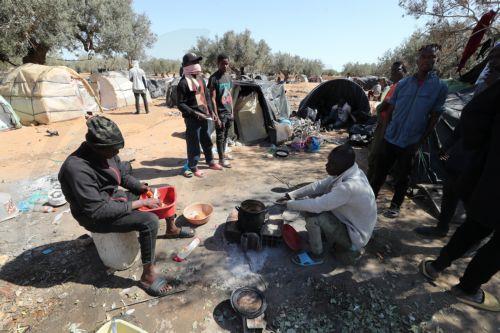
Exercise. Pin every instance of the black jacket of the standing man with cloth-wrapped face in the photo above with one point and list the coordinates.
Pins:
(186, 100)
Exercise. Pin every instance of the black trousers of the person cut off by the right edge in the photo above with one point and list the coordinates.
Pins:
(484, 264)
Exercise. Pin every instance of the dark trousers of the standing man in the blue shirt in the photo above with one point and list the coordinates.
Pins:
(389, 155)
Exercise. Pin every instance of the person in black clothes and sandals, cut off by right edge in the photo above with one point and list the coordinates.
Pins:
(478, 188)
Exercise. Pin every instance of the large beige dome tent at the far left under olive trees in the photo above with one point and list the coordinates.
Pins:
(46, 94)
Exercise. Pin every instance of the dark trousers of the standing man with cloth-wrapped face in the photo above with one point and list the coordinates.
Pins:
(196, 134)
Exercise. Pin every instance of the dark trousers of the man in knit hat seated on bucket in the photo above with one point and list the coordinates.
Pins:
(143, 222)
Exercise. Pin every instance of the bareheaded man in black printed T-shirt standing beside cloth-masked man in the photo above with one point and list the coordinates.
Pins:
(220, 85)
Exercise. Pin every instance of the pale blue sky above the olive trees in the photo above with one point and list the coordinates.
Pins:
(336, 32)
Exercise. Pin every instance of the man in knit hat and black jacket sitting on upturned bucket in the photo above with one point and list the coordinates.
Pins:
(89, 179)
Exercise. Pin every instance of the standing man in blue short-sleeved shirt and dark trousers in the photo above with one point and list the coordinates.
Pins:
(415, 108)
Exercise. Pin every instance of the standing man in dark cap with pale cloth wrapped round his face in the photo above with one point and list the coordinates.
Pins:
(193, 100)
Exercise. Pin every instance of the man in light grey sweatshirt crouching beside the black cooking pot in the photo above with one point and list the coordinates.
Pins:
(341, 206)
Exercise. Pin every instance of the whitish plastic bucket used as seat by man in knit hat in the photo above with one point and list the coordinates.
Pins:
(117, 250)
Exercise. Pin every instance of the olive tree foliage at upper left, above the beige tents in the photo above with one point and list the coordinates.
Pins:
(33, 28)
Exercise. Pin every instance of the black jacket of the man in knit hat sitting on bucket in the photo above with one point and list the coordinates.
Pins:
(90, 185)
